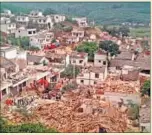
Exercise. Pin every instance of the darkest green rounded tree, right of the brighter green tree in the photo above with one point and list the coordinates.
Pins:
(110, 47)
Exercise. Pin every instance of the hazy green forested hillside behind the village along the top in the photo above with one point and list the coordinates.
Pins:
(102, 13)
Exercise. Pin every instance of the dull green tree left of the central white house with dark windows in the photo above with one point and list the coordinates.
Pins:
(70, 71)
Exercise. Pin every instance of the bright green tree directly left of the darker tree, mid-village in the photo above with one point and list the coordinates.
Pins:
(88, 47)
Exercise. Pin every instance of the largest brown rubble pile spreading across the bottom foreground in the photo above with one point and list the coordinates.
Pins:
(75, 112)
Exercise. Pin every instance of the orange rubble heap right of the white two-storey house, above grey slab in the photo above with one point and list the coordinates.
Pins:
(116, 85)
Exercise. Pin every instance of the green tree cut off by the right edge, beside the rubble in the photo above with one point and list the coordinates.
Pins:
(145, 89)
